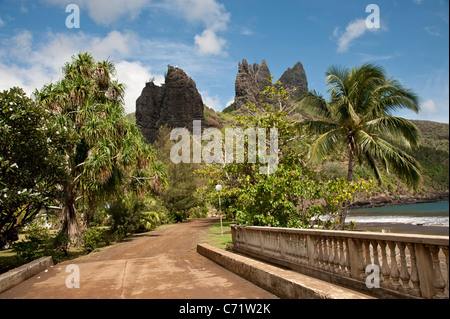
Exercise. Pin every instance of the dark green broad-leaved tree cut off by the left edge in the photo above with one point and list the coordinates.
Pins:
(30, 161)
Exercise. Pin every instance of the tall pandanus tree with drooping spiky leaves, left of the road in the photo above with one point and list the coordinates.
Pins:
(103, 151)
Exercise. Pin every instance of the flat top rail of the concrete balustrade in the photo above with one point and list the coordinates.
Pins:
(394, 237)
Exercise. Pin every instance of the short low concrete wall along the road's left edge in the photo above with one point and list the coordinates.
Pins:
(22, 273)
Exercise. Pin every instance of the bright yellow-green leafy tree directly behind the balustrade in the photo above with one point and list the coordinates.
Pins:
(293, 195)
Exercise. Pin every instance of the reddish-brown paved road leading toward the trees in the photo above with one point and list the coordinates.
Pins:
(159, 265)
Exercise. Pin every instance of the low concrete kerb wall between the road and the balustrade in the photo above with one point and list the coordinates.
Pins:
(282, 283)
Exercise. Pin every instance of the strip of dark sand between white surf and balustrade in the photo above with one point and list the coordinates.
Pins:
(403, 228)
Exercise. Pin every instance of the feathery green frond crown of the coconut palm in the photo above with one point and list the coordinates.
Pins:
(358, 117)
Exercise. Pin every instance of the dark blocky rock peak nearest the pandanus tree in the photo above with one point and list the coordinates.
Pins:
(175, 104)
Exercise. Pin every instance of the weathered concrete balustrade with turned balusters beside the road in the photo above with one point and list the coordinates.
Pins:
(397, 265)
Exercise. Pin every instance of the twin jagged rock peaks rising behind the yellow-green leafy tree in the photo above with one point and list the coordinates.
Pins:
(252, 79)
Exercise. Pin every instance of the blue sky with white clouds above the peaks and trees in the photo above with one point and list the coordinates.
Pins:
(207, 39)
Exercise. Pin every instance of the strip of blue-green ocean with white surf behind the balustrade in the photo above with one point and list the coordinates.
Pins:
(428, 214)
